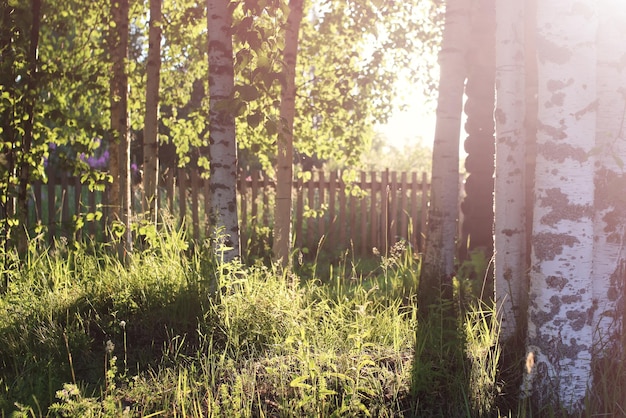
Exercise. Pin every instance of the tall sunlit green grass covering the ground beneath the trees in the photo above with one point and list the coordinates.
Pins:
(173, 333)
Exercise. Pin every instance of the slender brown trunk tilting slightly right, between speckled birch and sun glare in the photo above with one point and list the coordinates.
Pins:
(284, 158)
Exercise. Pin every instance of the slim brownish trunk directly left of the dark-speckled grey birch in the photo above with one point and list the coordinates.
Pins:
(151, 119)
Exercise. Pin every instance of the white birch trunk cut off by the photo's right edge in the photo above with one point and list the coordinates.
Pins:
(610, 204)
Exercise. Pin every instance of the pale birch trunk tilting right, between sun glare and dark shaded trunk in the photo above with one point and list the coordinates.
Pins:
(436, 274)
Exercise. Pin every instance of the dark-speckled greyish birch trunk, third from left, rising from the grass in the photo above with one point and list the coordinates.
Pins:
(222, 141)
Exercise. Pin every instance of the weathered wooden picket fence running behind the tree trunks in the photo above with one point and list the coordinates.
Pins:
(376, 210)
